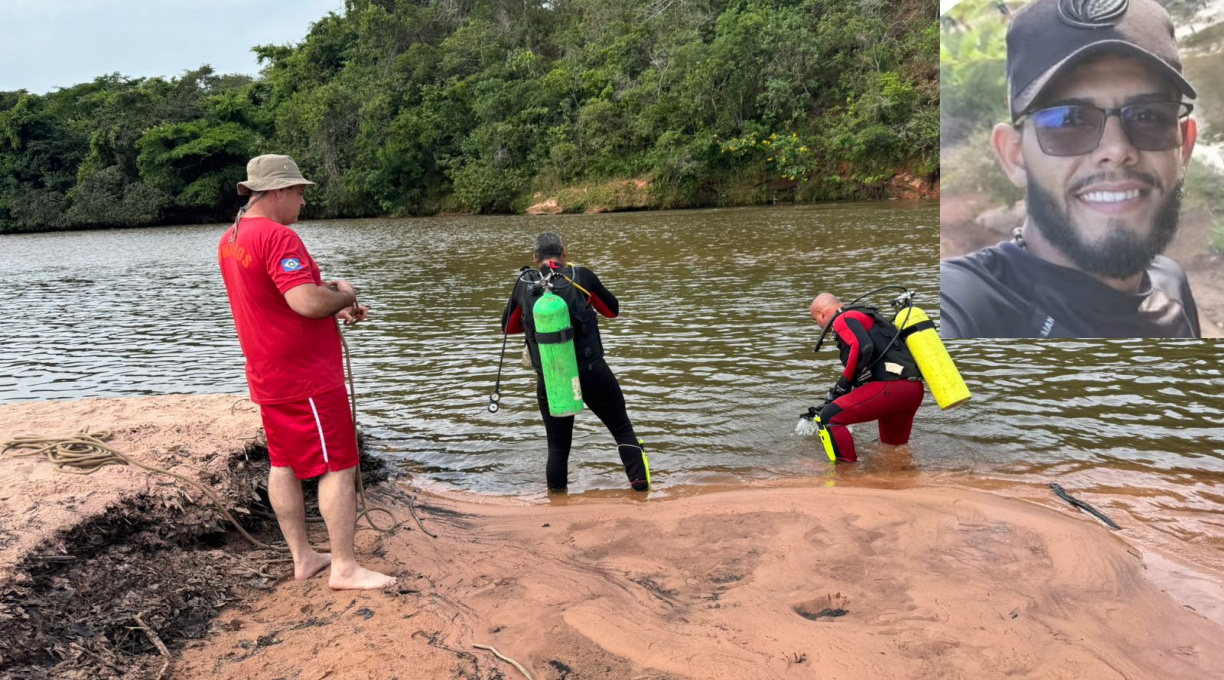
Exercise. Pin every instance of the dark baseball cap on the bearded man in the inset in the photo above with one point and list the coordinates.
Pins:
(1050, 37)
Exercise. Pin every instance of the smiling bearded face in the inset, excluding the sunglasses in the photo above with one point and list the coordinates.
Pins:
(1110, 211)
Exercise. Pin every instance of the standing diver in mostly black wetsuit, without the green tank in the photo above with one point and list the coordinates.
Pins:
(586, 295)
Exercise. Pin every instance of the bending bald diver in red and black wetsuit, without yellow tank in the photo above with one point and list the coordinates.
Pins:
(881, 381)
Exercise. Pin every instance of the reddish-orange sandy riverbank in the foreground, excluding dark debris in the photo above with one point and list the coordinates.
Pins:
(789, 580)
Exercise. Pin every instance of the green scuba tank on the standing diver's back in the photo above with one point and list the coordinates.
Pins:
(559, 363)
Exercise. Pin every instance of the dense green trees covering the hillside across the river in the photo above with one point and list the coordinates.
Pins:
(416, 107)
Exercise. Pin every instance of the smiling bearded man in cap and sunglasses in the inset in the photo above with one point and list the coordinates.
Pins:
(1100, 140)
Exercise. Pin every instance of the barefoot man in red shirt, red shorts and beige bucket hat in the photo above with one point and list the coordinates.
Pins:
(283, 312)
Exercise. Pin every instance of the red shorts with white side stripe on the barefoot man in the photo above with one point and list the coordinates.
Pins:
(314, 436)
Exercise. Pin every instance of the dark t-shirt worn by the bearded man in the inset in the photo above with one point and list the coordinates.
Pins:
(1003, 292)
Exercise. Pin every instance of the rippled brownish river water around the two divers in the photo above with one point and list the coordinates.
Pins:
(713, 349)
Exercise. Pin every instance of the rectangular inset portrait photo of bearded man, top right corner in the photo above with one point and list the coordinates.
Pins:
(1083, 169)
